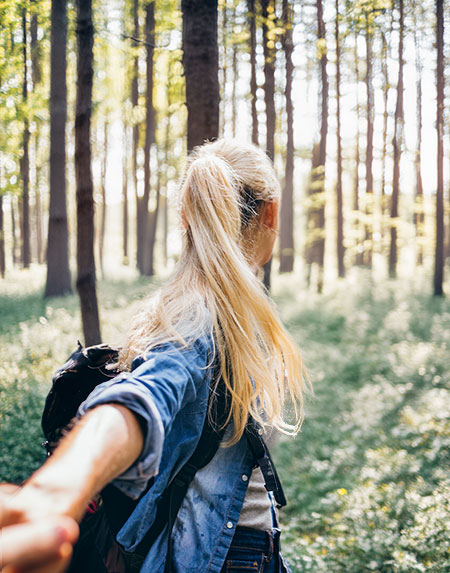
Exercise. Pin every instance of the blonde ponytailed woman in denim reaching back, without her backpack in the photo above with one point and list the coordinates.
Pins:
(146, 422)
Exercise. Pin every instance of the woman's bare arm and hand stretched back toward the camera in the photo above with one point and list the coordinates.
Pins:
(101, 446)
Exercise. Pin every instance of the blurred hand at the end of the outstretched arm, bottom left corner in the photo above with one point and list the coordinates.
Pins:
(39, 546)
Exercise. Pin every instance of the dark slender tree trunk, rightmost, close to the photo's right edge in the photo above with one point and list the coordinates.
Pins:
(439, 249)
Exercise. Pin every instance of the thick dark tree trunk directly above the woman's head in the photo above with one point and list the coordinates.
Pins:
(200, 61)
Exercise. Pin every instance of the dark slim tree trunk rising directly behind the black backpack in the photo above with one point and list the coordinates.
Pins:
(85, 201)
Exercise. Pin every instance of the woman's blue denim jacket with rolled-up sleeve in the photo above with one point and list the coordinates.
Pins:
(168, 388)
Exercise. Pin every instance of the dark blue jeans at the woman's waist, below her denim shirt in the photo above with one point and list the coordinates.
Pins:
(255, 551)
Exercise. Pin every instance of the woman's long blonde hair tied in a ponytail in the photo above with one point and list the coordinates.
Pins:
(214, 288)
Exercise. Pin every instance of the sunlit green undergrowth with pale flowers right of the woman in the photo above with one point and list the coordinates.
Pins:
(367, 480)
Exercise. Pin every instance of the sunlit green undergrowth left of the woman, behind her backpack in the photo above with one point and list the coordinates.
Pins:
(36, 337)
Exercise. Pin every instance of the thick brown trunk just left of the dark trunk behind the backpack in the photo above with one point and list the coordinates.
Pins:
(58, 270)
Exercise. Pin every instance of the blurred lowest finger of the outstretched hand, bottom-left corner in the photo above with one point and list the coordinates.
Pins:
(34, 543)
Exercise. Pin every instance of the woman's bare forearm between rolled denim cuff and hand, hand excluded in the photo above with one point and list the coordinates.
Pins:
(100, 447)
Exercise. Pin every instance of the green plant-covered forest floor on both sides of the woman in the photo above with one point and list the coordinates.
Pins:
(367, 479)
